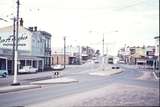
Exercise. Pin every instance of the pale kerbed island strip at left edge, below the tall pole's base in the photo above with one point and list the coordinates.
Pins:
(7, 89)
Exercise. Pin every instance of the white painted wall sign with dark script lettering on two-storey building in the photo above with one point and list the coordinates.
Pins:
(6, 40)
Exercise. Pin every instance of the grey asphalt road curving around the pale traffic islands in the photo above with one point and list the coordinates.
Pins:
(86, 83)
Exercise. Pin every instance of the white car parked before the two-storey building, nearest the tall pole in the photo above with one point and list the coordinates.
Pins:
(28, 69)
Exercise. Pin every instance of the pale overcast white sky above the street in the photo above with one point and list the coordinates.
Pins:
(85, 22)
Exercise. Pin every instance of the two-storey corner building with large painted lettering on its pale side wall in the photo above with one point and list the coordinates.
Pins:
(34, 47)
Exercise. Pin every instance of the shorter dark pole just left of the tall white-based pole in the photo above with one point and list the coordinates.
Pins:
(14, 20)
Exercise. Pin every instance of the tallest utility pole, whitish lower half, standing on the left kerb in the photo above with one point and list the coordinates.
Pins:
(15, 82)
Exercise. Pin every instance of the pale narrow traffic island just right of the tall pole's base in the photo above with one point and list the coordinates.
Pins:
(61, 80)
